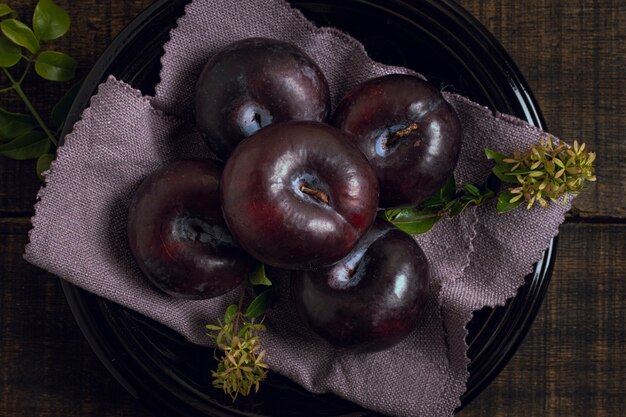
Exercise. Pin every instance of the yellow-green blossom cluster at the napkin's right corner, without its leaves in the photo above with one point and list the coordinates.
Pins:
(550, 172)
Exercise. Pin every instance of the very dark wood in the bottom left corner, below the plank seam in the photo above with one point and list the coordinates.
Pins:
(47, 369)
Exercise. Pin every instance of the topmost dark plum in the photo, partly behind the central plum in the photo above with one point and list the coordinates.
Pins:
(255, 82)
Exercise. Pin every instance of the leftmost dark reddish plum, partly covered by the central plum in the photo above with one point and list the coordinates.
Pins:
(178, 236)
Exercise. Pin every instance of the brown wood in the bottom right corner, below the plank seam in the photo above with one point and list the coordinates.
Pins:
(573, 362)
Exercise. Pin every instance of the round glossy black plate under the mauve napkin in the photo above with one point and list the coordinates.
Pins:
(436, 38)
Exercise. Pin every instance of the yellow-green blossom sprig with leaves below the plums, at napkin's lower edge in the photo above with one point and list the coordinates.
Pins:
(240, 367)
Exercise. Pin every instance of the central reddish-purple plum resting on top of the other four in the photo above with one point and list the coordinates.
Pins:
(298, 195)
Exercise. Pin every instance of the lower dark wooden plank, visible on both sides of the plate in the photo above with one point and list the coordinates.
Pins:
(571, 364)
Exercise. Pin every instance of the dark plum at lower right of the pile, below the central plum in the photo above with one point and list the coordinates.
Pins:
(373, 298)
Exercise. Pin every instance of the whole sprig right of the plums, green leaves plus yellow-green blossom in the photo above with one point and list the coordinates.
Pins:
(545, 172)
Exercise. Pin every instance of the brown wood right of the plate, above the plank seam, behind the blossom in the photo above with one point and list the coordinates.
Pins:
(571, 52)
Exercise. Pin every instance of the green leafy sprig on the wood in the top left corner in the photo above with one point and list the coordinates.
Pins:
(28, 136)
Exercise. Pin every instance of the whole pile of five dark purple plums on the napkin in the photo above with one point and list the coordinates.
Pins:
(300, 191)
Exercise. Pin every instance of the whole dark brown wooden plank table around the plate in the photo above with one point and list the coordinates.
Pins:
(572, 363)
